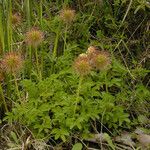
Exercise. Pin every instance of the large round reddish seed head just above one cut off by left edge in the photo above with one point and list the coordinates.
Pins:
(12, 62)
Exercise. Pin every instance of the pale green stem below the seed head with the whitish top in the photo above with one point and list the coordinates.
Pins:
(78, 93)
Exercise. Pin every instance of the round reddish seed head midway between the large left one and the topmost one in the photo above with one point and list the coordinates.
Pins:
(34, 37)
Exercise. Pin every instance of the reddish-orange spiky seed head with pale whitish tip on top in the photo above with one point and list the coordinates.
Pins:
(81, 65)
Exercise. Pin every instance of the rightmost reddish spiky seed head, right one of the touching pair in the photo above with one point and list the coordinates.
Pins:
(101, 61)
